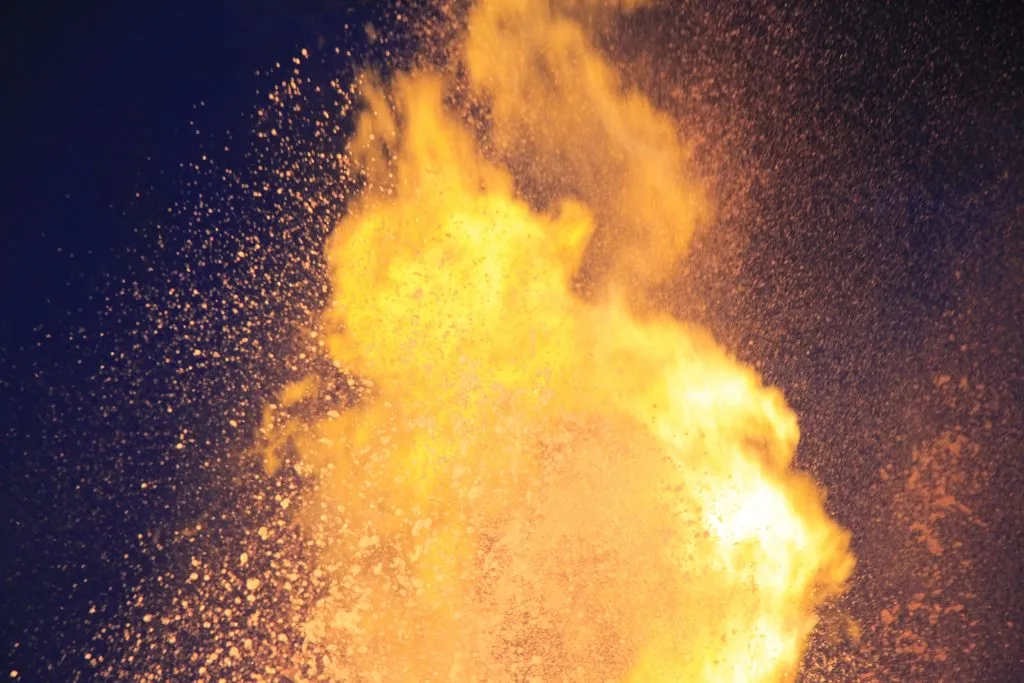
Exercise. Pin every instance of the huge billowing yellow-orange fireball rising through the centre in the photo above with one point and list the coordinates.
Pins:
(537, 485)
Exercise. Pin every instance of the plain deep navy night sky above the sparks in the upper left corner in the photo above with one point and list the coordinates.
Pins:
(101, 100)
